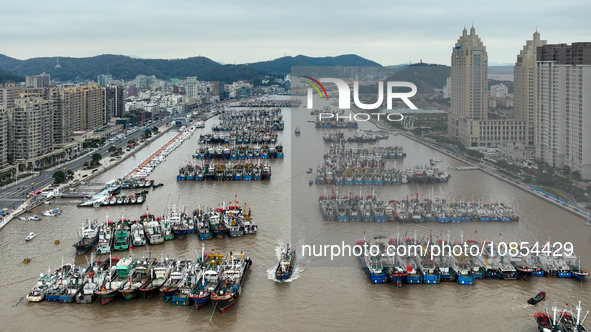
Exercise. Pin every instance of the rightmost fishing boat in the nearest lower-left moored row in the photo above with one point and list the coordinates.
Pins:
(232, 281)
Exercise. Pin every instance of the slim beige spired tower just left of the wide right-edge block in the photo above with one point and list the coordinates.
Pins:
(525, 83)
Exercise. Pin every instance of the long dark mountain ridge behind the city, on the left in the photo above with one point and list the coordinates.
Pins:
(127, 68)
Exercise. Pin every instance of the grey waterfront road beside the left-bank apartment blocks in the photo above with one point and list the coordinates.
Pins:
(11, 198)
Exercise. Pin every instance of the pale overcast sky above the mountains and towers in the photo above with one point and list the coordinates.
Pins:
(388, 32)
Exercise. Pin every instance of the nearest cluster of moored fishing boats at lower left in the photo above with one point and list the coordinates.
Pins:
(212, 276)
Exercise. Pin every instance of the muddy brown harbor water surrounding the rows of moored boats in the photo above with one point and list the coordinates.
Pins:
(328, 295)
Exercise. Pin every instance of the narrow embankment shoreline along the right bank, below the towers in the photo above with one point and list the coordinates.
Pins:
(481, 167)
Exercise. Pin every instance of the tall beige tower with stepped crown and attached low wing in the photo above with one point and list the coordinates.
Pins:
(468, 120)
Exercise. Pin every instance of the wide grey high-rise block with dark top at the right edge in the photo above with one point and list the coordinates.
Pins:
(563, 110)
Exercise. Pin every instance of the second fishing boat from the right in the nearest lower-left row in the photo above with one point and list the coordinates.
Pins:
(210, 279)
